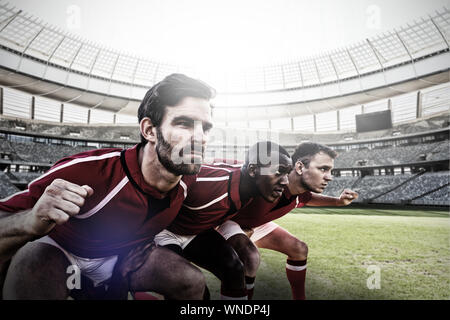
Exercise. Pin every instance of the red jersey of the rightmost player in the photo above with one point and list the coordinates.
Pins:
(259, 211)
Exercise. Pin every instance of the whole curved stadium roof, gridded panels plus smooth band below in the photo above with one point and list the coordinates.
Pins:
(47, 62)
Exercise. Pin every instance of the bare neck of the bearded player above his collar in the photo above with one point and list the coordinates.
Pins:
(154, 173)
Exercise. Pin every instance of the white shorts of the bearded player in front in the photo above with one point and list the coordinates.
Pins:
(98, 270)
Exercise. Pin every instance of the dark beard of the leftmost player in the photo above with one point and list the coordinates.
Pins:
(164, 150)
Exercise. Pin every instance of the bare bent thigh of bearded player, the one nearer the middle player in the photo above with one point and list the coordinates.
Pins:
(164, 272)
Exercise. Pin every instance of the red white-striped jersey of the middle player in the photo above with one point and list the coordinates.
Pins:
(212, 199)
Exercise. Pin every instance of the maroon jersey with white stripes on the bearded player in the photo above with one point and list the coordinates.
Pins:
(123, 210)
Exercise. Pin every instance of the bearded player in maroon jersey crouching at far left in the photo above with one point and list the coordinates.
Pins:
(92, 207)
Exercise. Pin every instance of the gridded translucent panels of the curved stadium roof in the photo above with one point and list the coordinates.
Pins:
(29, 36)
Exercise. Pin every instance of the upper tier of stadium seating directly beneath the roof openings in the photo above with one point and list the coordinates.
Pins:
(424, 142)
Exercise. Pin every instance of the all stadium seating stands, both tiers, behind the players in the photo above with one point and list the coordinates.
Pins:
(407, 164)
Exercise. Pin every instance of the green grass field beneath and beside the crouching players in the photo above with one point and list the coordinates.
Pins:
(411, 248)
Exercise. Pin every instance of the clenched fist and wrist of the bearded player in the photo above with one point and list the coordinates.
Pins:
(60, 201)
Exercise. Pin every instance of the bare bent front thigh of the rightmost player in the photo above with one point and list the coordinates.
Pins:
(282, 241)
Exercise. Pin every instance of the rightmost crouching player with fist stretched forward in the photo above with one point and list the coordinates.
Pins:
(313, 163)
